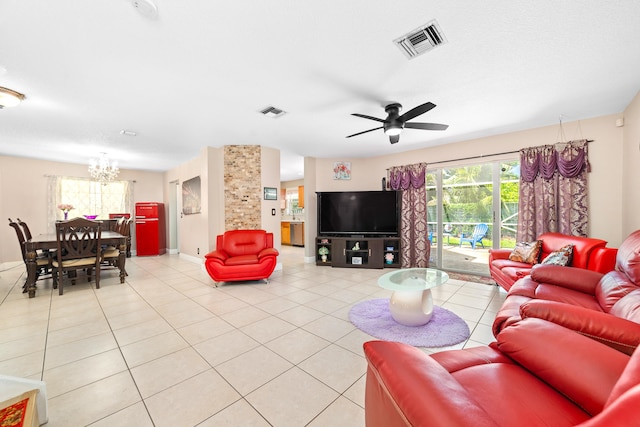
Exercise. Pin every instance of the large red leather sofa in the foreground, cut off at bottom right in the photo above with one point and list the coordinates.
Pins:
(536, 374)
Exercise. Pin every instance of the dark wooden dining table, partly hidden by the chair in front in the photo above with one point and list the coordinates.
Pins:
(49, 241)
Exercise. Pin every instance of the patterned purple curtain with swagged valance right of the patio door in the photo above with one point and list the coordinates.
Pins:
(553, 190)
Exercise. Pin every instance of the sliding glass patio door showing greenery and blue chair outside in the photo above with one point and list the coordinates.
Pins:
(463, 202)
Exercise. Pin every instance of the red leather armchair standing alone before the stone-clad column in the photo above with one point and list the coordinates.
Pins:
(242, 255)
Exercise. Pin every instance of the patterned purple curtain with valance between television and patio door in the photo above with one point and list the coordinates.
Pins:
(415, 248)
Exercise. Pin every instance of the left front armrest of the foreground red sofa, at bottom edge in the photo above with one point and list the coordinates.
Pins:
(398, 379)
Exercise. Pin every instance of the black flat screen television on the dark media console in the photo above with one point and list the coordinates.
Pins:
(359, 213)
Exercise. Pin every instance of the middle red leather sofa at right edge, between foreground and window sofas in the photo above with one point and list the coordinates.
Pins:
(605, 307)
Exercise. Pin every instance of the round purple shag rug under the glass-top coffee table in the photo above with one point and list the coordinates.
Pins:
(444, 329)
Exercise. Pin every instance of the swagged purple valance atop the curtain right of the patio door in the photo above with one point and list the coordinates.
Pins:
(545, 160)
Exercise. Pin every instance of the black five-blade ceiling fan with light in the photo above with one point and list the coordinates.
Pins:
(394, 123)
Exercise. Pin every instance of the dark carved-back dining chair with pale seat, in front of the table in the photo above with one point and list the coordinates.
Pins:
(78, 242)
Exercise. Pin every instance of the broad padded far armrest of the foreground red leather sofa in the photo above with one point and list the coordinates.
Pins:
(578, 367)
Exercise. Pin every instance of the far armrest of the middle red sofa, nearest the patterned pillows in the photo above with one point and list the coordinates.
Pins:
(578, 279)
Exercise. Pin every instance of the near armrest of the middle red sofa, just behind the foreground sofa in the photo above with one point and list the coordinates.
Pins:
(619, 333)
